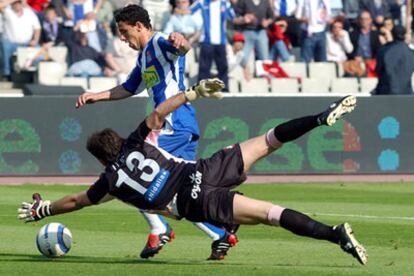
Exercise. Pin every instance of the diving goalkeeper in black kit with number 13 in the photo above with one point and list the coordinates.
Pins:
(145, 176)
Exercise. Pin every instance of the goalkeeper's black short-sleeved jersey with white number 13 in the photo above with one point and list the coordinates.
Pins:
(143, 175)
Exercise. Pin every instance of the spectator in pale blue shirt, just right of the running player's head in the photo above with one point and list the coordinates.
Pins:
(183, 21)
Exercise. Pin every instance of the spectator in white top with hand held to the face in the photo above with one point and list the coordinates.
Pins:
(338, 42)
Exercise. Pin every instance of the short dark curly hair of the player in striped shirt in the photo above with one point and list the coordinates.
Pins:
(132, 14)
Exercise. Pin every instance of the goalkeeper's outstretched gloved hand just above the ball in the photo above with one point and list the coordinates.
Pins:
(34, 211)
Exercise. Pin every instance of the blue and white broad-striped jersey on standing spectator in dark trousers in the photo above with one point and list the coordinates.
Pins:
(215, 13)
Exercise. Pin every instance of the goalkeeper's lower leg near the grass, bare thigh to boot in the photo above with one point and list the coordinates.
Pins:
(252, 211)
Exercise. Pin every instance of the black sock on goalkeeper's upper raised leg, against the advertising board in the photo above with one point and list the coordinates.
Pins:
(295, 128)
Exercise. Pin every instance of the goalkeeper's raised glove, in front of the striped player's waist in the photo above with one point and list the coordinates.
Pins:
(208, 88)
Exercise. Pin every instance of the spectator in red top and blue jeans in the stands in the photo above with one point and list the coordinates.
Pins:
(278, 41)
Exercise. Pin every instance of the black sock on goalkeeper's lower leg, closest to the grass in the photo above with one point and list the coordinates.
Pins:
(303, 225)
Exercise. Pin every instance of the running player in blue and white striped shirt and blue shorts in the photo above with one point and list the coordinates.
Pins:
(160, 70)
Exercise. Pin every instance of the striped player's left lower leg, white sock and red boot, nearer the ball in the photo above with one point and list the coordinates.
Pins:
(160, 233)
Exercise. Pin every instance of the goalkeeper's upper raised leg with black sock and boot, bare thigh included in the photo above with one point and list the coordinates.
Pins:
(261, 146)
